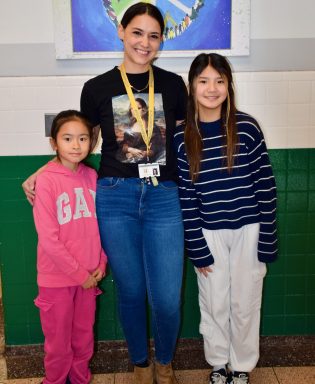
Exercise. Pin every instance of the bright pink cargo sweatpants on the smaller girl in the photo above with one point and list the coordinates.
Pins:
(67, 318)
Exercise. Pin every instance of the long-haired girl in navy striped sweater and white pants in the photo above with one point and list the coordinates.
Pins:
(228, 199)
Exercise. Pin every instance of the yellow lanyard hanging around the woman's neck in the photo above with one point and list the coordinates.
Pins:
(146, 134)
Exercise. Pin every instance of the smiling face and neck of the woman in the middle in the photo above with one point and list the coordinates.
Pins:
(142, 39)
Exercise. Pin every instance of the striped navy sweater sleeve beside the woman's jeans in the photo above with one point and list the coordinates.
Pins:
(196, 245)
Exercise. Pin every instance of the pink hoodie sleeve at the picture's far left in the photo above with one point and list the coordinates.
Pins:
(47, 227)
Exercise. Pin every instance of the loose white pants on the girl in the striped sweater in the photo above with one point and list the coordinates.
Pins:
(230, 298)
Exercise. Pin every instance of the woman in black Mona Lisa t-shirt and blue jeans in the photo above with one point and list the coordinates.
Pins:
(138, 211)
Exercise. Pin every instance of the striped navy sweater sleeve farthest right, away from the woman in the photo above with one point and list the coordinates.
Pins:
(265, 192)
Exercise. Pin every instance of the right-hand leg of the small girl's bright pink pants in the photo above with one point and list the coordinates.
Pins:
(83, 335)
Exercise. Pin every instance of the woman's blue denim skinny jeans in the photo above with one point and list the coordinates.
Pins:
(142, 233)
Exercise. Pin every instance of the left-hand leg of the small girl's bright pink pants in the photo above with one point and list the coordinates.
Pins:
(56, 313)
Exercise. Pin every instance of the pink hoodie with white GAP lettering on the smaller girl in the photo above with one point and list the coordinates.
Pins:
(69, 246)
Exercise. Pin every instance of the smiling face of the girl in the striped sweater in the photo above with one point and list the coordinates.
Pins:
(210, 89)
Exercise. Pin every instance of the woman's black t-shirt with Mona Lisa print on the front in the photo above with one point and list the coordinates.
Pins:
(104, 101)
